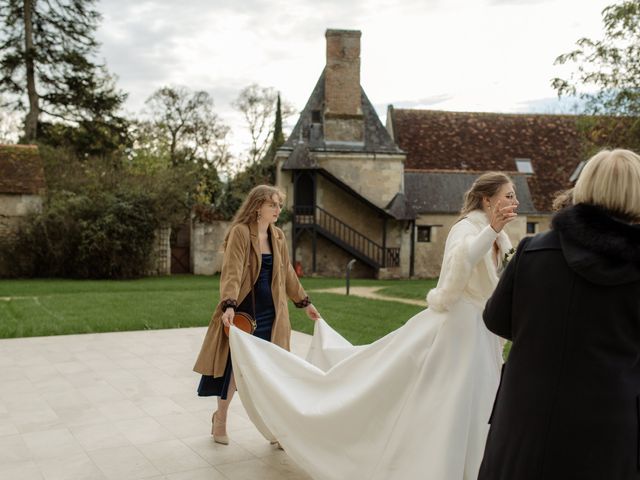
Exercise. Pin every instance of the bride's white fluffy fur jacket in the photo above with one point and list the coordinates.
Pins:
(468, 266)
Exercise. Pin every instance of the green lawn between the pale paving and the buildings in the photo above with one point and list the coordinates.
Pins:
(57, 307)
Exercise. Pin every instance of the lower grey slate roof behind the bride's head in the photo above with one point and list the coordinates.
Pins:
(443, 191)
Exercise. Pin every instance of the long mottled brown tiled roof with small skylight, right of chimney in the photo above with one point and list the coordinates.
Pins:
(438, 140)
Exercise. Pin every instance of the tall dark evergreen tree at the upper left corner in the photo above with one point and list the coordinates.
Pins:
(47, 64)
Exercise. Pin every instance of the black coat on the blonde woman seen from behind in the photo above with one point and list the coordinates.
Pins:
(569, 402)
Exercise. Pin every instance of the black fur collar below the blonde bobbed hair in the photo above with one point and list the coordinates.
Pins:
(597, 230)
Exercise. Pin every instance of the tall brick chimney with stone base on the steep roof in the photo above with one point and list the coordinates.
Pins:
(343, 121)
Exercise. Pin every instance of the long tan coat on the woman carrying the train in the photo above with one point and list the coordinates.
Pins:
(240, 269)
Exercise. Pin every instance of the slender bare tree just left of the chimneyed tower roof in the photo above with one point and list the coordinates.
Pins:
(258, 105)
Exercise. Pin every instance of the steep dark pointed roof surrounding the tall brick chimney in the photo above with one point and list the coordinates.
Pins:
(376, 137)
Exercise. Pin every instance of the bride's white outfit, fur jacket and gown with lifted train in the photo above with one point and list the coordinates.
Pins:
(412, 405)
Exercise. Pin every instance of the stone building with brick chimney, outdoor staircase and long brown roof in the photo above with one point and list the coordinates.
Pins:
(388, 195)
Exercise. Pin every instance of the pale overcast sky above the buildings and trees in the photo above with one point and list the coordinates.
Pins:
(464, 55)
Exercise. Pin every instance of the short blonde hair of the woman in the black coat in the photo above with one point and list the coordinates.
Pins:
(611, 179)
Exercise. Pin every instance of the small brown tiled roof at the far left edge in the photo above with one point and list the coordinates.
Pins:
(21, 170)
